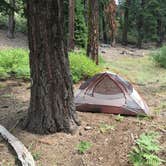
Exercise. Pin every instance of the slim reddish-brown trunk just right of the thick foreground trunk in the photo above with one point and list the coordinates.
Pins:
(71, 24)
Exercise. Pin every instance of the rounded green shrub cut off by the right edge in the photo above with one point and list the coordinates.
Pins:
(160, 57)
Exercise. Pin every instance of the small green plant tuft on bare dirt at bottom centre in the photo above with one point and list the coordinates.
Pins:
(83, 146)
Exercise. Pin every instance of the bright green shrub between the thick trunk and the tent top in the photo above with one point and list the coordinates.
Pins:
(81, 66)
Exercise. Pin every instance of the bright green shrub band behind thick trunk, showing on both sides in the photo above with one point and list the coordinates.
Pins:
(15, 62)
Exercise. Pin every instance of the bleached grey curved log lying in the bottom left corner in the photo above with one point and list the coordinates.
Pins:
(24, 156)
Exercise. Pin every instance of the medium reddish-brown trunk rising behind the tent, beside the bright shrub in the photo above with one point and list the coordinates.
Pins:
(93, 30)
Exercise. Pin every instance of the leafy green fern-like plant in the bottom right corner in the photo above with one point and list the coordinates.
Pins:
(145, 151)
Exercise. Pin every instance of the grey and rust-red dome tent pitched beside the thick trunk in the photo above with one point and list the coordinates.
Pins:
(109, 93)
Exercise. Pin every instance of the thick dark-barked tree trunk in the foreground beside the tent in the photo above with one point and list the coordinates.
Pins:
(51, 105)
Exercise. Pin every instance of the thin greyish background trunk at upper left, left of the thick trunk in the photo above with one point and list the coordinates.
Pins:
(11, 21)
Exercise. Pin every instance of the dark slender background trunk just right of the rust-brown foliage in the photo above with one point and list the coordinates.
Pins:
(126, 23)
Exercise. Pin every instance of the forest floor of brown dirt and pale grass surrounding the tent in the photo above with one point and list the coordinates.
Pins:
(110, 148)
